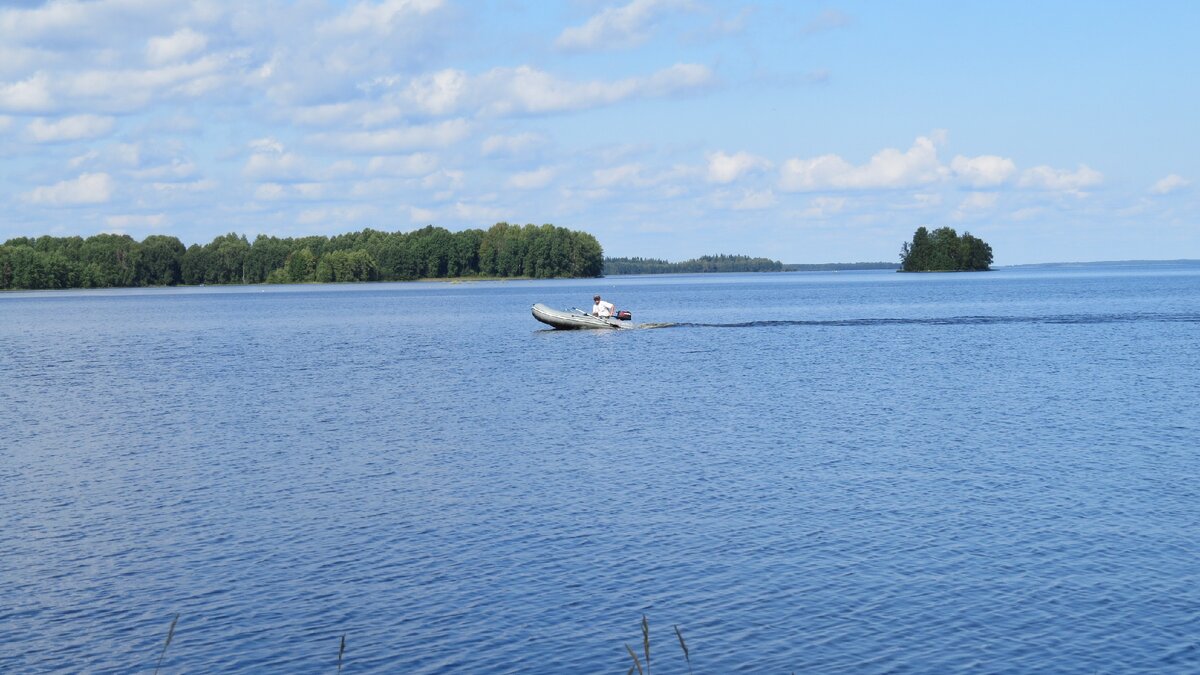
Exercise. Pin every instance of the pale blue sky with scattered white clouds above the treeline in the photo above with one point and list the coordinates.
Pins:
(800, 132)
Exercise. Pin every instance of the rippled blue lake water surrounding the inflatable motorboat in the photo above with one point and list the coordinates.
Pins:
(861, 473)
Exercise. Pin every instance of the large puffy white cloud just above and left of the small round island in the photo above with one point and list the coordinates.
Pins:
(887, 170)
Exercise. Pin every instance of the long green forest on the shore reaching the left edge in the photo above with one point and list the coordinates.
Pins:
(118, 260)
